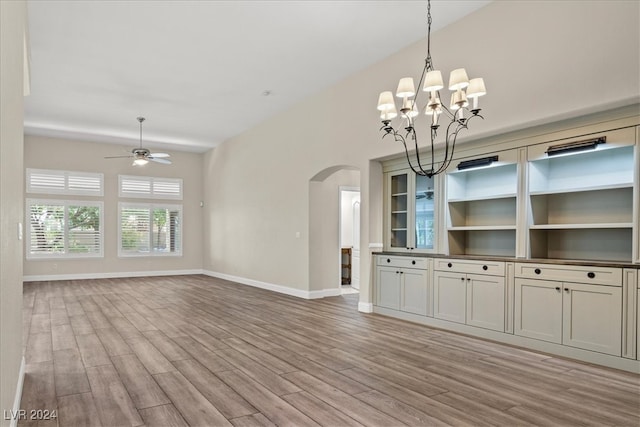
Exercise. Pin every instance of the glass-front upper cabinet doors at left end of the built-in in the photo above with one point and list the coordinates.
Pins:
(410, 212)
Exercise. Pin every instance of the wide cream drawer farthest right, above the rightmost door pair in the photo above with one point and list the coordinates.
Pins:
(571, 273)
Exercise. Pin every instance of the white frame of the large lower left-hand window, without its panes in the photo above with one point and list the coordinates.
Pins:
(29, 255)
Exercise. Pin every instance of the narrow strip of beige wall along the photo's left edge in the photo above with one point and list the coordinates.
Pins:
(12, 21)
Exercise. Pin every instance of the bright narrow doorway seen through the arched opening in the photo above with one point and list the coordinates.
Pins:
(349, 226)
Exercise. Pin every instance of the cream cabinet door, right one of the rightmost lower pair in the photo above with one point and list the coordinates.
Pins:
(593, 317)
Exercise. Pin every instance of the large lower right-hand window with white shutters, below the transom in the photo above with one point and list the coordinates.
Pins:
(149, 229)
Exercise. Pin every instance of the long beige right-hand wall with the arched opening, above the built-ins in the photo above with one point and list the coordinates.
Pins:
(564, 60)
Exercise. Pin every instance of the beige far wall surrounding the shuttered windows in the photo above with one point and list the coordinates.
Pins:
(50, 153)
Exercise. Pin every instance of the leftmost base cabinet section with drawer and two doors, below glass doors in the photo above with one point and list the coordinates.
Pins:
(403, 283)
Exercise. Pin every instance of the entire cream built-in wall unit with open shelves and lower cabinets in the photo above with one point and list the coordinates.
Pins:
(532, 238)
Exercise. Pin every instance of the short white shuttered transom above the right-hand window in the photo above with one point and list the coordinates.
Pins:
(147, 187)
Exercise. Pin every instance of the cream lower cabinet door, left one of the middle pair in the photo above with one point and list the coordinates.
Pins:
(449, 296)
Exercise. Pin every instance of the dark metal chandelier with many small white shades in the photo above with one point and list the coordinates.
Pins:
(462, 89)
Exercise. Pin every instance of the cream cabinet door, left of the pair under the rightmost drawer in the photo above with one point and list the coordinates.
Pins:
(538, 310)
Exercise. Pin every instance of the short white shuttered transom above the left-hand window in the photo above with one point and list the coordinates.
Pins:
(64, 182)
